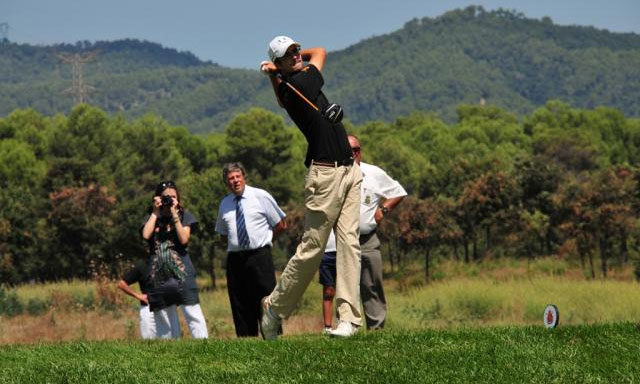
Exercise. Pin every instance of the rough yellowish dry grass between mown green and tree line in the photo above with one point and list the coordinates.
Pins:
(494, 292)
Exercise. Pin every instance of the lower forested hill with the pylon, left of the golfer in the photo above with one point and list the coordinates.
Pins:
(127, 76)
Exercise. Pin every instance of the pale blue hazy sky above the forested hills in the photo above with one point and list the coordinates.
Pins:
(236, 33)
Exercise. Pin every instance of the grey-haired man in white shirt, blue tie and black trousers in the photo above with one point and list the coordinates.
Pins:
(249, 218)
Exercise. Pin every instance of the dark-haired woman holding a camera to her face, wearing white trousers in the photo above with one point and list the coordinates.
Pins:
(172, 277)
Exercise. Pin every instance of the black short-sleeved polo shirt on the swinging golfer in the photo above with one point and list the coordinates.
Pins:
(326, 142)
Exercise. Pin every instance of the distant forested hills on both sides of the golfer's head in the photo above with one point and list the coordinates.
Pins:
(432, 64)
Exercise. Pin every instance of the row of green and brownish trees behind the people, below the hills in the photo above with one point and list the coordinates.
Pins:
(560, 181)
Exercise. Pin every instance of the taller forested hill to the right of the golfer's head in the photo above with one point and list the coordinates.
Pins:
(500, 57)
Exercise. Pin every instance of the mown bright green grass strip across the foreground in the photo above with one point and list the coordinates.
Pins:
(573, 354)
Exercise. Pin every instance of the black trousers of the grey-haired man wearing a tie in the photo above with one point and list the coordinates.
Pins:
(250, 277)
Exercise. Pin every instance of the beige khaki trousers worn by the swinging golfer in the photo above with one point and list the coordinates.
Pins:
(332, 200)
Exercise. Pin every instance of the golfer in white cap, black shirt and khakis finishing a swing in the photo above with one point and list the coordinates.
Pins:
(331, 190)
